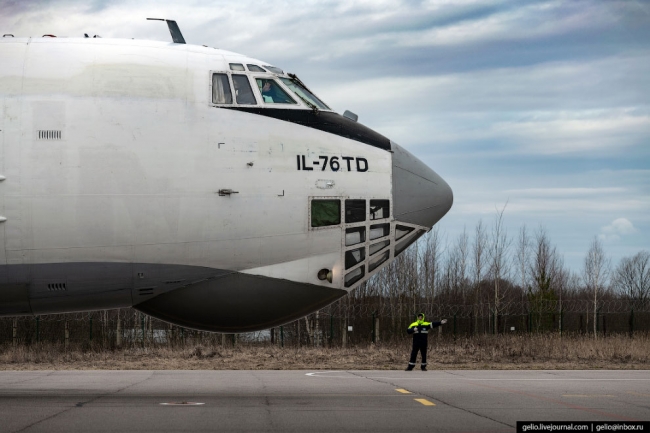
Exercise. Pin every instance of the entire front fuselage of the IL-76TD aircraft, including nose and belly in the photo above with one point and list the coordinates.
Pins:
(130, 181)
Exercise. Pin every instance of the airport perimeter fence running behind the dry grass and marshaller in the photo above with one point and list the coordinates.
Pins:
(341, 324)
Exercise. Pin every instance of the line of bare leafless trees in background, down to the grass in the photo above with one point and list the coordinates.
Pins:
(484, 282)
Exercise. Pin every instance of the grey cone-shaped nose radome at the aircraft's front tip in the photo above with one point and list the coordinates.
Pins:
(420, 196)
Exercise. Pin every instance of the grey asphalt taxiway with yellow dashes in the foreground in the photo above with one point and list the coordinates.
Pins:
(315, 401)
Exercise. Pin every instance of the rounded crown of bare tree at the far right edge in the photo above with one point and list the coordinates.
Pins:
(632, 277)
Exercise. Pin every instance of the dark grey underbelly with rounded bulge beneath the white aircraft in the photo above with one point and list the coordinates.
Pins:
(193, 297)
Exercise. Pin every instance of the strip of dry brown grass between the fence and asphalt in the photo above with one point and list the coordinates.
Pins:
(483, 352)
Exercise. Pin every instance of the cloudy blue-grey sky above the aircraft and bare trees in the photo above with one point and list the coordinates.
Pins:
(543, 105)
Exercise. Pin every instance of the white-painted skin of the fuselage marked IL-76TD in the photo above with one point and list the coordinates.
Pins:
(143, 152)
